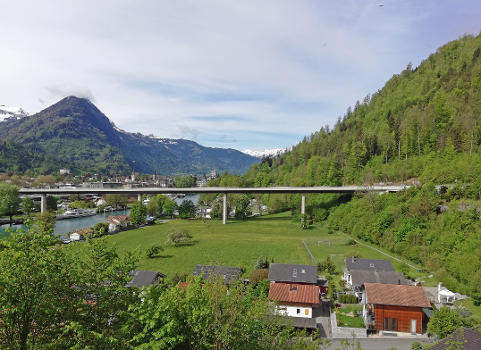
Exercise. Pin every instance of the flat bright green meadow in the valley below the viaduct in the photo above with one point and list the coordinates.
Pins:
(239, 243)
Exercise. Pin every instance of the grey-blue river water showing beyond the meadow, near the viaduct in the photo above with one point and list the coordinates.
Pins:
(62, 227)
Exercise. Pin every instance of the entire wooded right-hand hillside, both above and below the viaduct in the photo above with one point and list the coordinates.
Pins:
(423, 128)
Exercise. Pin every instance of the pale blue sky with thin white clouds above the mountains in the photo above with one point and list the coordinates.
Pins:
(251, 74)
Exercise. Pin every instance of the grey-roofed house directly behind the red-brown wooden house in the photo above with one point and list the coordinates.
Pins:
(359, 277)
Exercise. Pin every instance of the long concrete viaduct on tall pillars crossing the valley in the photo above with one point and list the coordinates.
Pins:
(43, 193)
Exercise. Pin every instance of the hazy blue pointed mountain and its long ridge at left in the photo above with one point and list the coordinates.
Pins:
(75, 131)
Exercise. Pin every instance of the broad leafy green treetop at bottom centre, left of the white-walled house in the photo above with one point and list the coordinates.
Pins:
(203, 316)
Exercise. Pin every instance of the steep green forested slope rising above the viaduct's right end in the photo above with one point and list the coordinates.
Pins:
(421, 121)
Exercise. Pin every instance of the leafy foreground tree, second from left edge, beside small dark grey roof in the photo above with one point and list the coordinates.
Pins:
(100, 274)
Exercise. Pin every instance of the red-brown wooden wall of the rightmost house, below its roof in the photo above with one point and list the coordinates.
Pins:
(403, 314)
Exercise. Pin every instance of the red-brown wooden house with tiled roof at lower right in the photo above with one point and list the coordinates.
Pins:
(395, 308)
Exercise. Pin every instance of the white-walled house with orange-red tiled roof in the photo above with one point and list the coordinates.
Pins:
(295, 301)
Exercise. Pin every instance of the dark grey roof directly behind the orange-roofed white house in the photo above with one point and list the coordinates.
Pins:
(290, 273)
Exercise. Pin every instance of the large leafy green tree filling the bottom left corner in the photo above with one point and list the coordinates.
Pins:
(37, 291)
